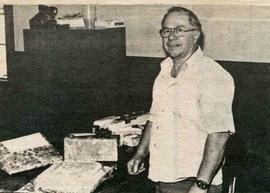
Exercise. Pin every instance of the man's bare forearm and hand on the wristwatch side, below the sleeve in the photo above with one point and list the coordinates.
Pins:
(212, 158)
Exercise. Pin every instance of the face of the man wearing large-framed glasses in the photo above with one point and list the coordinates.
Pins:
(179, 46)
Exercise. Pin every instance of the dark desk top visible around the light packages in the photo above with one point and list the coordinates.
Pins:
(121, 182)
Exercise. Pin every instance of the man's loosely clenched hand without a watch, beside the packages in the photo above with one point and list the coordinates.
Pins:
(135, 166)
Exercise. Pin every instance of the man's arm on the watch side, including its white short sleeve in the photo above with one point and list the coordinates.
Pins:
(217, 120)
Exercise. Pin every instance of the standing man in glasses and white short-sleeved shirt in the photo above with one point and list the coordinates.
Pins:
(191, 113)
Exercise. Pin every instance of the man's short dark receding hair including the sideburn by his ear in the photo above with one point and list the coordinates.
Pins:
(193, 21)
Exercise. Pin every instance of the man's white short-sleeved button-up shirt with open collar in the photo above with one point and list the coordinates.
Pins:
(184, 111)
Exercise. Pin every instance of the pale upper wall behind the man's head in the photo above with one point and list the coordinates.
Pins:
(232, 32)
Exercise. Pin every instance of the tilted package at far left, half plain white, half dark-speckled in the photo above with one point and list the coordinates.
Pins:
(27, 152)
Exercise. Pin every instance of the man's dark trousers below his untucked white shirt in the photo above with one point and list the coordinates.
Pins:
(183, 187)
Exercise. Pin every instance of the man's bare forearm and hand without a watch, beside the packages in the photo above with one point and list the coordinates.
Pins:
(135, 165)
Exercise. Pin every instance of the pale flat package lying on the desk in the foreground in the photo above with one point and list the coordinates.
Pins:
(71, 177)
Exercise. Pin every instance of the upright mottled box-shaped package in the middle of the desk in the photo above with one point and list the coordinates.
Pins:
(89, 148)
